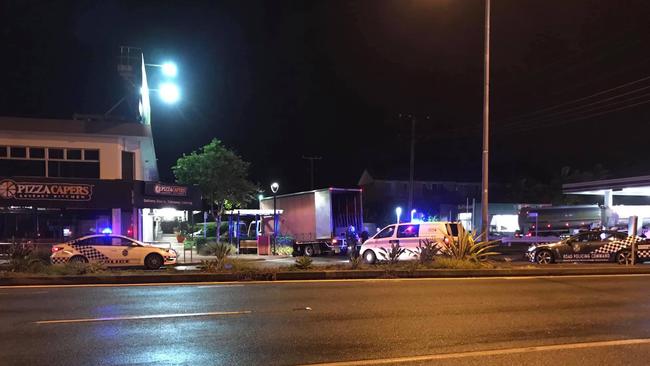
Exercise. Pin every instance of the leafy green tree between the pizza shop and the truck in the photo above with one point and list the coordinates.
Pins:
(220, 174)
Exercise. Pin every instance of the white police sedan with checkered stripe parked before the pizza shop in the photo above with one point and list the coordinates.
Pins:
(112, 250)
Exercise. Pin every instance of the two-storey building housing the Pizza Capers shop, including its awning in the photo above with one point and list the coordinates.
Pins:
(61, 179)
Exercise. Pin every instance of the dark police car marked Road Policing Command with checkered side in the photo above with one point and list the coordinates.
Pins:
(591, 246)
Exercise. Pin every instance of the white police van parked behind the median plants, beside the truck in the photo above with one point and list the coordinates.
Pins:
(408, 236)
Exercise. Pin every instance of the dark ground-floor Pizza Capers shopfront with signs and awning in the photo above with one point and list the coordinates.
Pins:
(52, 210)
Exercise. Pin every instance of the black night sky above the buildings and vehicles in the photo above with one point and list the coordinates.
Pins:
(276, 80)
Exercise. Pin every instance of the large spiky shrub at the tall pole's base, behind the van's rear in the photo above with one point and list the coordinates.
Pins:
(466, 247)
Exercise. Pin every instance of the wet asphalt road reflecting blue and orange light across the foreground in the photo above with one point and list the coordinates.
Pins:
(571, 320)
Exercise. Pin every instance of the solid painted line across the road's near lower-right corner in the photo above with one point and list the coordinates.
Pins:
(496, 352)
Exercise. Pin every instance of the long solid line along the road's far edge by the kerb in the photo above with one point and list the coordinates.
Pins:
(239, 284)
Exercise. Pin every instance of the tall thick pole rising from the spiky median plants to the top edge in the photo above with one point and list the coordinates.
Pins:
(485, 225)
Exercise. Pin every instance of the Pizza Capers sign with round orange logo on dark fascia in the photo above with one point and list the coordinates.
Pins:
(10, 189)
